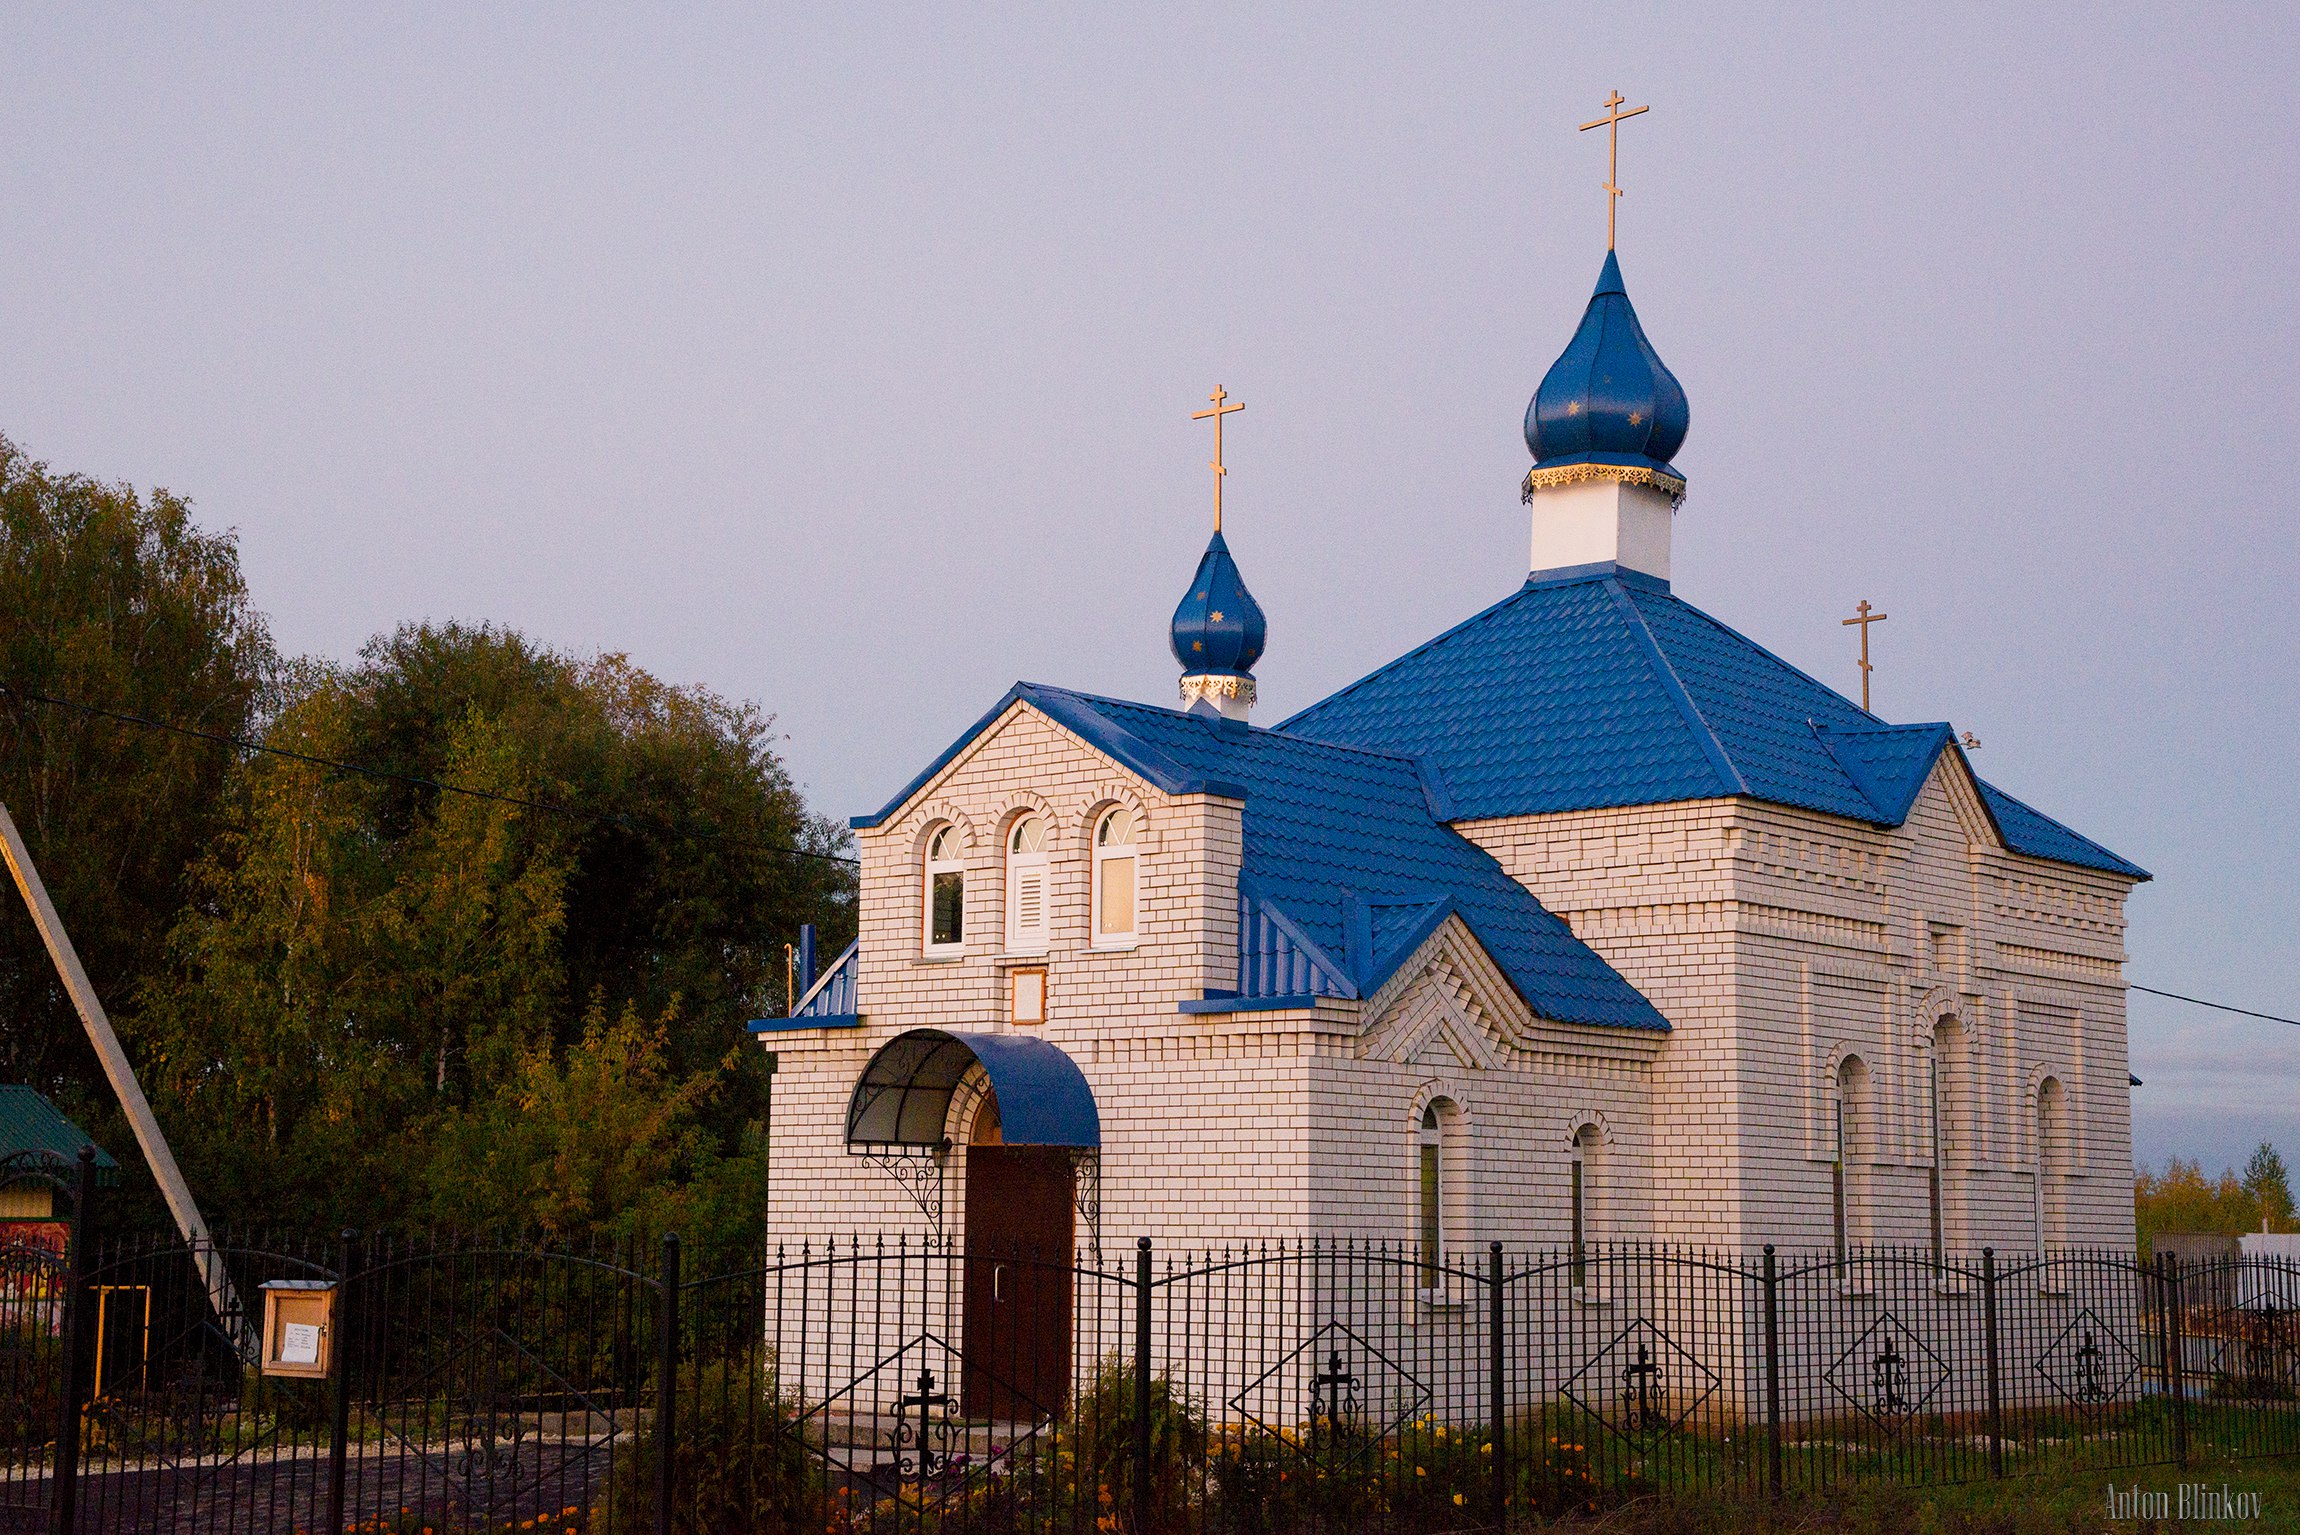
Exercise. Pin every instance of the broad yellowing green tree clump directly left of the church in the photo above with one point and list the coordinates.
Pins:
(381, 968)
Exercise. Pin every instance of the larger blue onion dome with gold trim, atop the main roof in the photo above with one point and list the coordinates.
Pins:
(1609, 408)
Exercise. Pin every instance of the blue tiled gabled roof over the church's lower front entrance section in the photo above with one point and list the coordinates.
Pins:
(1342, 839)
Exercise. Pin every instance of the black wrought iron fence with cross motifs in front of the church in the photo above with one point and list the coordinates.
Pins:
(891, 1387)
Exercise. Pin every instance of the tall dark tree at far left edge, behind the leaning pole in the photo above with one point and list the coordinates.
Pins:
(114, 600)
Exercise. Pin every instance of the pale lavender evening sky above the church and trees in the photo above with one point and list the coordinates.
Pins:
(843, 360)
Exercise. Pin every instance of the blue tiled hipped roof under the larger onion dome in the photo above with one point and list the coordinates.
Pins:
(1600, 689)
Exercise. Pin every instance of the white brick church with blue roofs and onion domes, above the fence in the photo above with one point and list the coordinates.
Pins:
(1588, 919)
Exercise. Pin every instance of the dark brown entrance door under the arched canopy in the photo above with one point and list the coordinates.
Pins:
(1018, 1283)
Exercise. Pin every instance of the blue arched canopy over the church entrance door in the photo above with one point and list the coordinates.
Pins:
(905, 1094)
